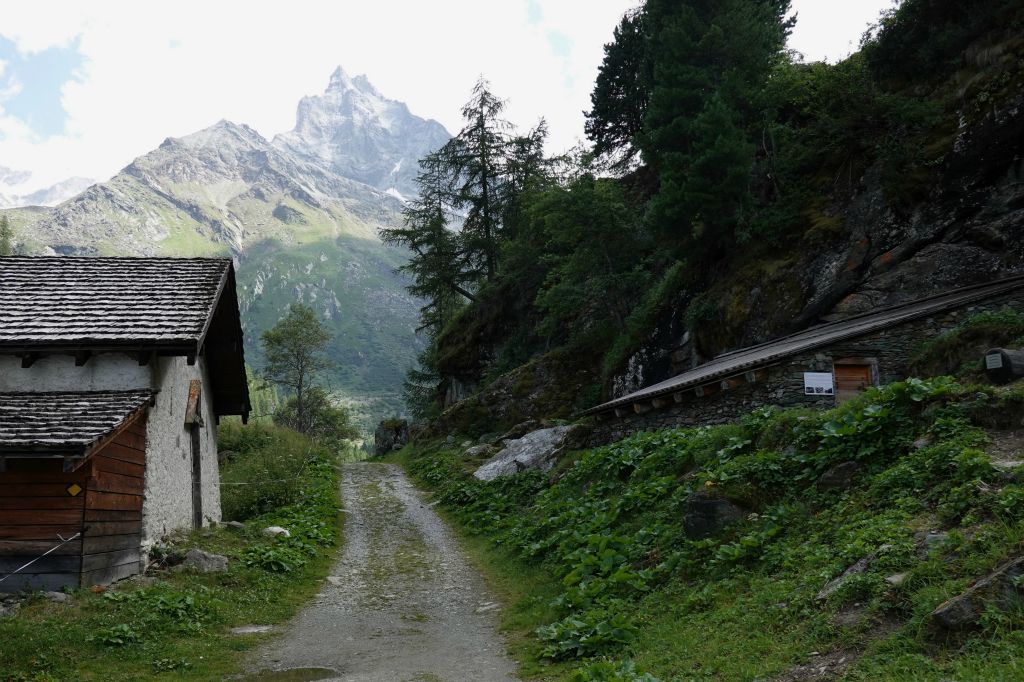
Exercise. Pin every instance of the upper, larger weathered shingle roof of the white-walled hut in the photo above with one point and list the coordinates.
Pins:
(81, 303)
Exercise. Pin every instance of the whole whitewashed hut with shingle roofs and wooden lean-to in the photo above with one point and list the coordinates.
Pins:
(113, 374)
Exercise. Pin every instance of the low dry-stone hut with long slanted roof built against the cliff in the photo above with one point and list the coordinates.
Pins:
(819, 367)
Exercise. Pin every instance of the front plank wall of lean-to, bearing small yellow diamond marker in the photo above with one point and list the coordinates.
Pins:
(35, 508)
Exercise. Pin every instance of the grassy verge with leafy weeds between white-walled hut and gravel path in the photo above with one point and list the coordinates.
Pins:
(175, 624)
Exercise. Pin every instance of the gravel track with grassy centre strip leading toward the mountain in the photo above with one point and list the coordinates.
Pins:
(402, 604)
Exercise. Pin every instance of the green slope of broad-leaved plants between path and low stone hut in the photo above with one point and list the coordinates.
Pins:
(606, 579)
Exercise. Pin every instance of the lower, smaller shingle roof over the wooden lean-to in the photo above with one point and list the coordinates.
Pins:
(66, 423)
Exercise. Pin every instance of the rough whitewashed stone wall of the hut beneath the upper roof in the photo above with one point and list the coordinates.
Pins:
(168, 472)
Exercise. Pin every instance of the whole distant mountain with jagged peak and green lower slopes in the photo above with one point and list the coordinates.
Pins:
(302, 228)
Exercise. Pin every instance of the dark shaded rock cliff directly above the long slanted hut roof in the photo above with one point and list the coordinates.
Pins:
(969, 230)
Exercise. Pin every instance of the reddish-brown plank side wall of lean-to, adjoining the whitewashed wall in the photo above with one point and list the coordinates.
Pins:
(114, 508)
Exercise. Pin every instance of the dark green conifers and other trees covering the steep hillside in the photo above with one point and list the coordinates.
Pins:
(713, 151)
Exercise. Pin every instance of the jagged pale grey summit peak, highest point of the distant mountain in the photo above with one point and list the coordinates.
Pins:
(359, 134)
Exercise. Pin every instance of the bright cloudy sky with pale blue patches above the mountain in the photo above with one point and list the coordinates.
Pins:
(86, 88)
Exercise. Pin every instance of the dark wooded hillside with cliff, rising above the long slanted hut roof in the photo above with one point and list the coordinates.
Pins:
(741, 195)
